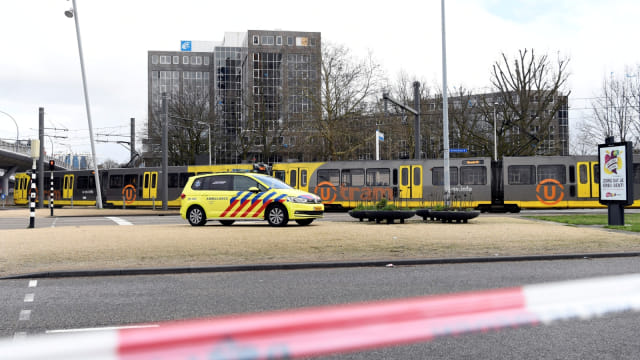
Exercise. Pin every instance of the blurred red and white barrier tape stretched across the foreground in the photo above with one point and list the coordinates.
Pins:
(326, 330)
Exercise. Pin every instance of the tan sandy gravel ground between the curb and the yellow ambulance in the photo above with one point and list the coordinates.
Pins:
(181, 245)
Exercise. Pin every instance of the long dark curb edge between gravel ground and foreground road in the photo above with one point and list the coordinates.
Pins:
(306, 266)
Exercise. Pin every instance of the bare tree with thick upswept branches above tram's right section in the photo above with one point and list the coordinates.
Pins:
(530, 91)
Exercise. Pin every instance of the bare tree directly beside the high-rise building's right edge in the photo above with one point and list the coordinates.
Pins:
(349, 86)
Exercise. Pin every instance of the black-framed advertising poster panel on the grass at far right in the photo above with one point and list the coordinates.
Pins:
(616, 173)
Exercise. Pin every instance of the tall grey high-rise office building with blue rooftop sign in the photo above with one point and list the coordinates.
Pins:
(256, 93)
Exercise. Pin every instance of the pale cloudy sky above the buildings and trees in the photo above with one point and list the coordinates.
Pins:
(40, 67)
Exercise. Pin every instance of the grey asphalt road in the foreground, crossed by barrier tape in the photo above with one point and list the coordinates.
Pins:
(66, 304)
